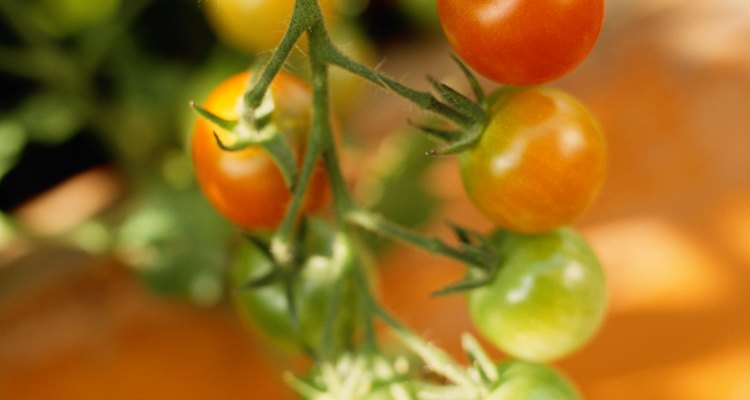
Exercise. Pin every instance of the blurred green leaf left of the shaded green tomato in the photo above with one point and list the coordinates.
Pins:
(178, 244)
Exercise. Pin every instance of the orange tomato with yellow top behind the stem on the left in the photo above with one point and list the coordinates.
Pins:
(246, 186)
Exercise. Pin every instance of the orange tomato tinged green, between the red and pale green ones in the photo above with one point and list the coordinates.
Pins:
(540, 162)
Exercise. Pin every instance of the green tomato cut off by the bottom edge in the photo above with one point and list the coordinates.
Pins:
(522, 380)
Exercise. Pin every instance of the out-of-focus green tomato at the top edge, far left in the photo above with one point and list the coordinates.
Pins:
(65, 17)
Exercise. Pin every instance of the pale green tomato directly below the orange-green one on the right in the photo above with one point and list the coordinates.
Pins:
(547, 299)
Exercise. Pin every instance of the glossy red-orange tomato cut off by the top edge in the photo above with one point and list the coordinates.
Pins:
(522, 42)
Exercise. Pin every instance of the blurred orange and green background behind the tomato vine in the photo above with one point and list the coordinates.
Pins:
(112, 264)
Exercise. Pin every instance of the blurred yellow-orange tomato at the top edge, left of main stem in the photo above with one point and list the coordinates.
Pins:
(254, 26)
